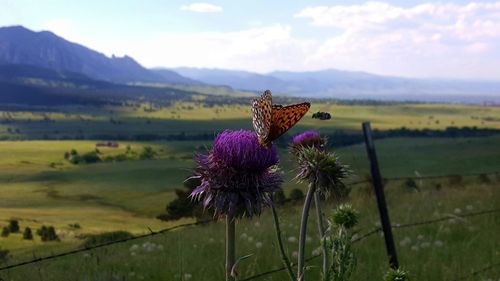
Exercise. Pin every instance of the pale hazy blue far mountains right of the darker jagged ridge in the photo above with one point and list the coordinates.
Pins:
(349, 85)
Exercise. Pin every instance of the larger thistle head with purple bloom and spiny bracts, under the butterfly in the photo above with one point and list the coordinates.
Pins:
(238, 176)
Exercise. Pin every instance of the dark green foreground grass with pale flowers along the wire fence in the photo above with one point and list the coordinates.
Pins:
(467, 245)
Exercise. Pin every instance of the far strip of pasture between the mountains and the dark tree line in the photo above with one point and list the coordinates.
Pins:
(194, 118)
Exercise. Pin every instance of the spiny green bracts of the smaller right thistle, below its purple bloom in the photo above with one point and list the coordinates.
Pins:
(323, 168)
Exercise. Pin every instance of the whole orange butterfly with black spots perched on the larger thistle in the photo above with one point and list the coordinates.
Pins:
(270, 121)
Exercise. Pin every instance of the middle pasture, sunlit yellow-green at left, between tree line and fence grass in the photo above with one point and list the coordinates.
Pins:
(128, 195)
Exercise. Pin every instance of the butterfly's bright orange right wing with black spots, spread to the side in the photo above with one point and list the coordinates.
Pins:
(284, 118)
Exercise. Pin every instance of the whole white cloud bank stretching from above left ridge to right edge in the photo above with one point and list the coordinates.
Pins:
(427, 40)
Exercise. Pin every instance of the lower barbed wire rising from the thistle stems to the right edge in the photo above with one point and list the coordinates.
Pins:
(377, 230)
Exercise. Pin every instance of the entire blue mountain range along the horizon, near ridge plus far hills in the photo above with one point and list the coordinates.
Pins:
(28, 54)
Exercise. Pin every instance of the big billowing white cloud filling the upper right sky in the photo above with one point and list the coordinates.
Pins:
(432, 39)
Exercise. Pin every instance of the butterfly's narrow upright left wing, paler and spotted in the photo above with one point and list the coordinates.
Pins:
(261, 115)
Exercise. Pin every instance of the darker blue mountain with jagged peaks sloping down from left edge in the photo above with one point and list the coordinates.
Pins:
(19, 45)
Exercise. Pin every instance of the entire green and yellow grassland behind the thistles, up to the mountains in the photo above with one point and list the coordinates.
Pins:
(39, 187)
